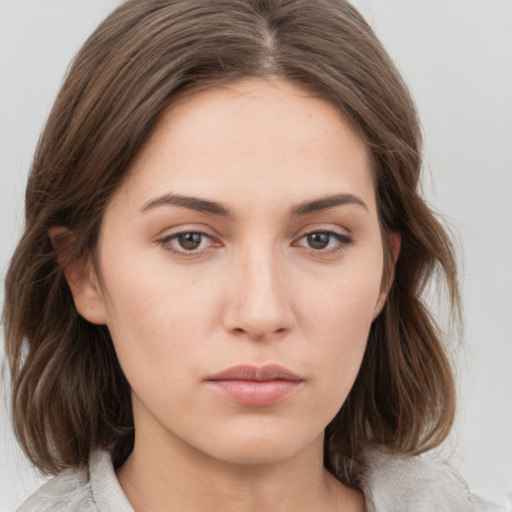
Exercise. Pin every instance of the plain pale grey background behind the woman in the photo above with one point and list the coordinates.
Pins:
(456, 55)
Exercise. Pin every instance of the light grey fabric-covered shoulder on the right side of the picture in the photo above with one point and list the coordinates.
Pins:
(395, 483)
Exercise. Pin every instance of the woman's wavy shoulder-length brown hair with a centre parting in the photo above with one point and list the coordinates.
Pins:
(69, 395)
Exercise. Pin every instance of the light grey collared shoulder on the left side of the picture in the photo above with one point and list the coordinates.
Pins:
(94, 488)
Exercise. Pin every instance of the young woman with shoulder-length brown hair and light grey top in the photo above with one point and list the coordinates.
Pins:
(216, 304)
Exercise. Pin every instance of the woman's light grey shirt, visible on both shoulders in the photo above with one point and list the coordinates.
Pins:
(391, 484)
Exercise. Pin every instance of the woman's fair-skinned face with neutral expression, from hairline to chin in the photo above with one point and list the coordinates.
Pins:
(240, 268)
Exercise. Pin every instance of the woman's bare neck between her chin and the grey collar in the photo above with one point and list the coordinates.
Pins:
(177, 477)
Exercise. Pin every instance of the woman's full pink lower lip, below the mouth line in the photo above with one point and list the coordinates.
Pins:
(255, 393)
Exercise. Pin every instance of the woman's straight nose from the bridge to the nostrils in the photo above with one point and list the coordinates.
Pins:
(259, 305)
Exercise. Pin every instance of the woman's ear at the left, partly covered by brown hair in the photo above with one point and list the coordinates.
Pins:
(80, 276)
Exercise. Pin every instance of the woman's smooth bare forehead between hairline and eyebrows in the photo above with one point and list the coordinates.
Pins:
(252, 138)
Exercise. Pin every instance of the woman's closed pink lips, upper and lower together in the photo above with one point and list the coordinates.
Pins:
(255, 386)
